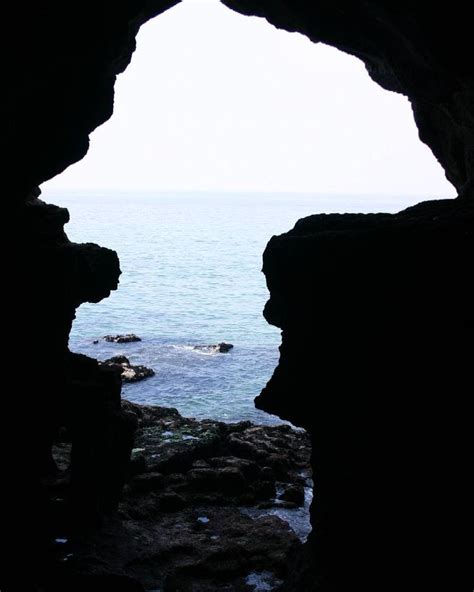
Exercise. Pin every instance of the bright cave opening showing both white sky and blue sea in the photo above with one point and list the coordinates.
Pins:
(221, 133)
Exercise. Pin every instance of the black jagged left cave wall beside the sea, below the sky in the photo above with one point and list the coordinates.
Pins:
(49, 278)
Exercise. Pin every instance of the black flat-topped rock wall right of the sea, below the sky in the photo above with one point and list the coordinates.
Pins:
(377, 322)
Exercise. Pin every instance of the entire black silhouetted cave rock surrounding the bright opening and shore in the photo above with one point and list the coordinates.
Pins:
(380, 381)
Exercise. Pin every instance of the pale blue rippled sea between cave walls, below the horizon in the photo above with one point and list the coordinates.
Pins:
(191, 275)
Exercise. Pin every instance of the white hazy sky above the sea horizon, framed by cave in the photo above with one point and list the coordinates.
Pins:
(217, 101)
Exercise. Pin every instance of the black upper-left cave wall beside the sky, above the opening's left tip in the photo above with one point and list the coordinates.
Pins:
(63, 62)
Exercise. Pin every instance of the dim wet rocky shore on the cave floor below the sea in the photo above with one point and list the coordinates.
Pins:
(200, 508)
